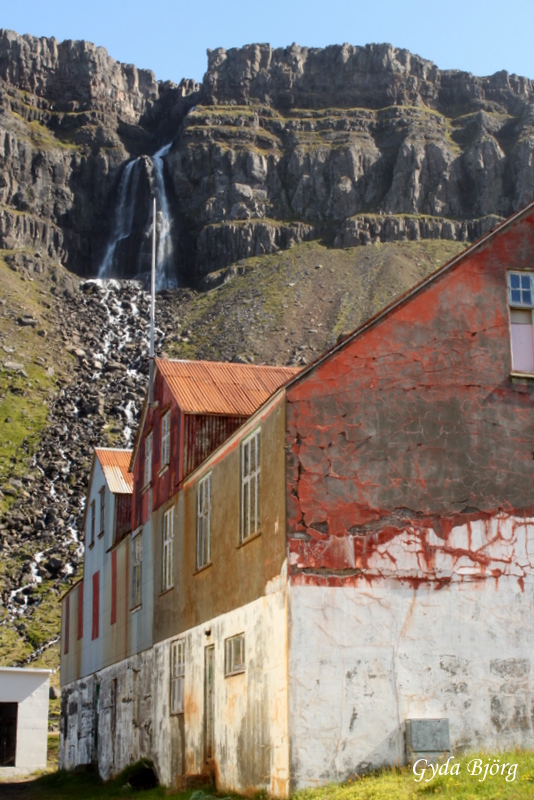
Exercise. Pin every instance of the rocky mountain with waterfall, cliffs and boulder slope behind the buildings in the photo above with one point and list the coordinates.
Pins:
(269, 176)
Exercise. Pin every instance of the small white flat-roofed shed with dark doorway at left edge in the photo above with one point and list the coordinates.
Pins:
(23, 717)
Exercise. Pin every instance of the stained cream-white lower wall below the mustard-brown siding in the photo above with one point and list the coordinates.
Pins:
(250, 718)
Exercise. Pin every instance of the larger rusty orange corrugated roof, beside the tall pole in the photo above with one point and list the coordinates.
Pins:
(214, 387)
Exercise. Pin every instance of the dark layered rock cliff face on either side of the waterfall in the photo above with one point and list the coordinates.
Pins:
(347, 144)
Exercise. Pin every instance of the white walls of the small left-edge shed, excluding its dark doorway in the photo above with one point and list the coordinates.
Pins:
(29, 688)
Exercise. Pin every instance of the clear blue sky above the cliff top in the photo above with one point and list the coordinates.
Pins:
(171, 38)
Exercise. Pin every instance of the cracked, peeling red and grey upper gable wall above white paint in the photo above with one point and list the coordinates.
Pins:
(415, 424)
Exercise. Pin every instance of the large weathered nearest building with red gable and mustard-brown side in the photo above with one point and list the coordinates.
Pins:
(355, 552)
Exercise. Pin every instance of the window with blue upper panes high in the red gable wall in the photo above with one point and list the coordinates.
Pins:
(521, 300)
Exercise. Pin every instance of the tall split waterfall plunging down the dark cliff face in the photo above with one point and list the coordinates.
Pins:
(125, 212)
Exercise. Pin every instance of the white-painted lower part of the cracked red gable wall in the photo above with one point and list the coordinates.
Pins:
(365, 658)
